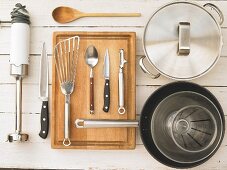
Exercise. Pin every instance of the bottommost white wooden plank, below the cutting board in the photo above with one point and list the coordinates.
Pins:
(40, 155)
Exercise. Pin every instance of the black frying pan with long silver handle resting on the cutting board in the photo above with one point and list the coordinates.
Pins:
(146, 121)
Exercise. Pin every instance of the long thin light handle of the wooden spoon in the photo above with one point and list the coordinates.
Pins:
(111, 14)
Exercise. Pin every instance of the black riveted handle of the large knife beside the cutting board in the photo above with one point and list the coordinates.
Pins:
(44, 119)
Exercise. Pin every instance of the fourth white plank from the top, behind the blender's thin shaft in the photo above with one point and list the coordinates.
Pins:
(32, 104)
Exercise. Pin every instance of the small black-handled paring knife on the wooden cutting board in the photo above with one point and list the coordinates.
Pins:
(107, 82)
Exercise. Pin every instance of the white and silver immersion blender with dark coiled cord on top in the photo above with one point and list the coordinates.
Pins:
(19, 53)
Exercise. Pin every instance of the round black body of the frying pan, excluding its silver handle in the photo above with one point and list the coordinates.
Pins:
(148, 110)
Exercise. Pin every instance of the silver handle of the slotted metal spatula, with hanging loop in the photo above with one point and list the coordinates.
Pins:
(66, 141)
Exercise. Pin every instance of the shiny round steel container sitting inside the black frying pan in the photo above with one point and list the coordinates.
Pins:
(186, 127)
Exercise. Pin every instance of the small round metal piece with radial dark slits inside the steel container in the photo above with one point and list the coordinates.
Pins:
(193, 128)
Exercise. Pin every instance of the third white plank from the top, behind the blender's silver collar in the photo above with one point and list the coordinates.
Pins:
(216, 77)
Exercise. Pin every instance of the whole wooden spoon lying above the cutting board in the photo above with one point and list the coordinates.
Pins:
(66, 14)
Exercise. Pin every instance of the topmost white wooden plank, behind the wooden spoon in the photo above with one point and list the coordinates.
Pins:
(41, 12)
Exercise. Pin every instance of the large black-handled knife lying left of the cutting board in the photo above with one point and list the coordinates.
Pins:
(43, 93)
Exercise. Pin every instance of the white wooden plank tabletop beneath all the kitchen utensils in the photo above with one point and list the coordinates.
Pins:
(37, 153)
